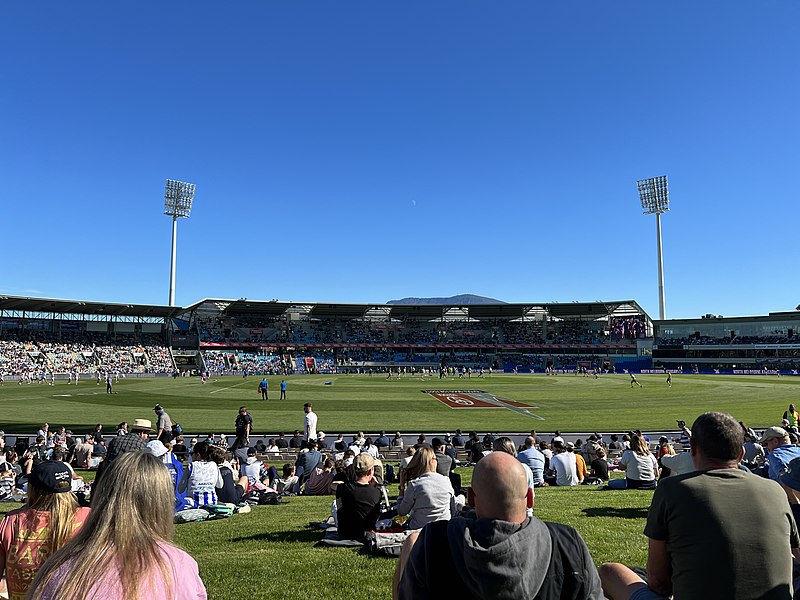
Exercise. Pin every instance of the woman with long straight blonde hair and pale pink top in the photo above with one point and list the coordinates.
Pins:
(123, 551)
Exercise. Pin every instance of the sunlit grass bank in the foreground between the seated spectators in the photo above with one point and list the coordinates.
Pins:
(271, 553)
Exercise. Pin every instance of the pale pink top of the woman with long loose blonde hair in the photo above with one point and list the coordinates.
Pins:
(186, 582)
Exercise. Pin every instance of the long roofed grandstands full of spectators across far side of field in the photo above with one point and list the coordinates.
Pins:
(232, 336)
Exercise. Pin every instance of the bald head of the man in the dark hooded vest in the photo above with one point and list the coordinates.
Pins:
(500, 487)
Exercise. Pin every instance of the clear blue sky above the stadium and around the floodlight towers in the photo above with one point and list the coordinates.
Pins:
(365, 151)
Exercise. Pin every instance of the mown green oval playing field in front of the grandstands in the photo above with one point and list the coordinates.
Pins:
(350, 403)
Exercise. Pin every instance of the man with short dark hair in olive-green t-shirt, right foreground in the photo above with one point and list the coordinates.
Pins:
(718, 532)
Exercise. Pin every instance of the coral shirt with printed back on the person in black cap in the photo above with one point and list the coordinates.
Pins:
(24, 546)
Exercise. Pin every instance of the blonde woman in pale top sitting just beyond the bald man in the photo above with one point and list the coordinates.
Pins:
(429, 495)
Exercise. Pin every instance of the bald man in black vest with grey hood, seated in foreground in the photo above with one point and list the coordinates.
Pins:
(496, 551)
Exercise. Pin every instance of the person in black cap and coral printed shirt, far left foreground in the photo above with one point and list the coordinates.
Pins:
(30, 534)
